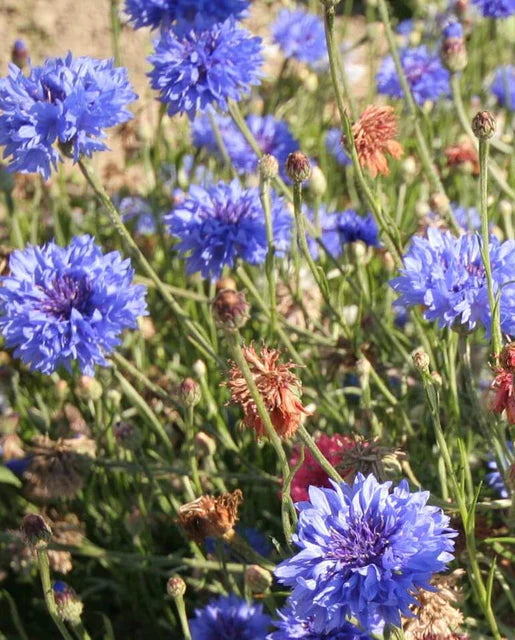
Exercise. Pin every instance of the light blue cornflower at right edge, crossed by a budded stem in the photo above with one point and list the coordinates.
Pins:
(446, 275)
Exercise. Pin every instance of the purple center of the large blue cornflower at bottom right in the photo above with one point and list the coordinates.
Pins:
(361, 544)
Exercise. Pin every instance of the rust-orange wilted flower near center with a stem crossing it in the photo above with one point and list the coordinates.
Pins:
(278, 386)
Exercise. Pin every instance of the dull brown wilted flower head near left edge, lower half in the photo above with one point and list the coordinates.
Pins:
(58, 469)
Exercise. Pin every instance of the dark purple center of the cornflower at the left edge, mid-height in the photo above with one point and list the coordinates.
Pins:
(67, 293)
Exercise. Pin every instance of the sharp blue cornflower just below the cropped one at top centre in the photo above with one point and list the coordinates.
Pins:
(201, 64)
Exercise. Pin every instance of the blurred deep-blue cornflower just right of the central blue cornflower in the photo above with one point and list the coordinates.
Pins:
(341, 228)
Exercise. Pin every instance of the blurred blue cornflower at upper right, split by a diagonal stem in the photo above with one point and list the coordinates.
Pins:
(426, 76)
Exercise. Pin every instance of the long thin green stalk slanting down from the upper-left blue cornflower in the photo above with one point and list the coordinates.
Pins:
(194, 333)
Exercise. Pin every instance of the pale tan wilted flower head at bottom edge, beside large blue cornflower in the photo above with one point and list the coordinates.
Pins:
(435, 614)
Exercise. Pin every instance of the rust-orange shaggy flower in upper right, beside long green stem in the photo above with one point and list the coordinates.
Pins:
(374, 135)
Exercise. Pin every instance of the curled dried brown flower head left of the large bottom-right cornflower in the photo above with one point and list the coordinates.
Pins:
(211, 517)
